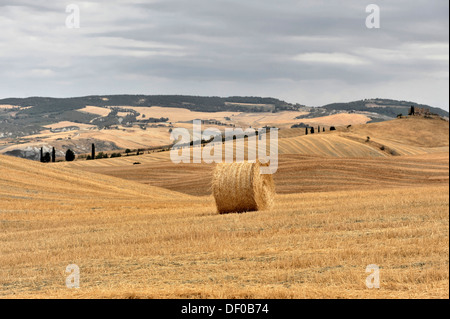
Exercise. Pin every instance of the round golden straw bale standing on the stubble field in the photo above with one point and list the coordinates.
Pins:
(240, 187)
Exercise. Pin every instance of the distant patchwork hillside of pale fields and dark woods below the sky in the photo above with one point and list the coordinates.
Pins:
(142, 122)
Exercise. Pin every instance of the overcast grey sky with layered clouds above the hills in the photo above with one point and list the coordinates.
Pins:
(311, 52)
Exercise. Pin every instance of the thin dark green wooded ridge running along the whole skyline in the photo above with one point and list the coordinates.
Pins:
(384, 107)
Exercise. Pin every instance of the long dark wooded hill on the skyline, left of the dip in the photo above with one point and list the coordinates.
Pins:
(33, 113)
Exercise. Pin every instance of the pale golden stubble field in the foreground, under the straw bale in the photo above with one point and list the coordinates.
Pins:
(132, 240)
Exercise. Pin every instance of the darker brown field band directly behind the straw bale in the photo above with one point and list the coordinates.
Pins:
(296, 173)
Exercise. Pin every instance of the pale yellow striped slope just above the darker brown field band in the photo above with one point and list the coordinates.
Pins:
(406, 136)
